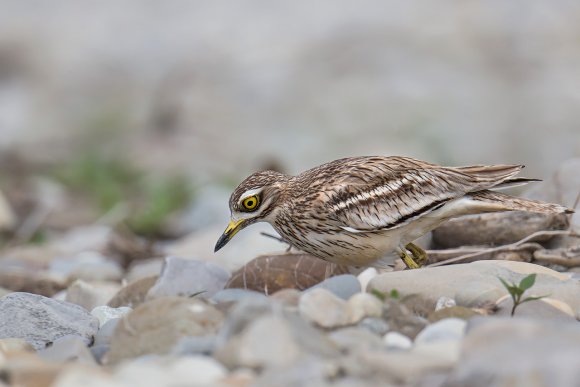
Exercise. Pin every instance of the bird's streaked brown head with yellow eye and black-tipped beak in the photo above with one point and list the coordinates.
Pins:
(253, 201)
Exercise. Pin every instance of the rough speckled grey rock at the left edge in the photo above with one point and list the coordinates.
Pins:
(40, 320)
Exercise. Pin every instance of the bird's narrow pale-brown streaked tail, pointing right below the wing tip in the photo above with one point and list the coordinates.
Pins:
(498, 201)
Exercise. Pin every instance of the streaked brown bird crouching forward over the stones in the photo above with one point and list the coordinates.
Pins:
(358, 211)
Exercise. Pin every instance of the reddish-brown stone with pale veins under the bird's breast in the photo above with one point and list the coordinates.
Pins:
(271, 273)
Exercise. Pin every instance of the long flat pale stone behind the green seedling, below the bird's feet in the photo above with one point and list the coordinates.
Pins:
(477, 283)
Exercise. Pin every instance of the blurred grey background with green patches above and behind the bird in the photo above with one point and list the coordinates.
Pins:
(141, 110)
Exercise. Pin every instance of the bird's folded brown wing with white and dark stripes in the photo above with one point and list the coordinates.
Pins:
(389, 192)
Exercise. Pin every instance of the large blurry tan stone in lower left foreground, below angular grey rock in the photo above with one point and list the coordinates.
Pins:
(156, 326)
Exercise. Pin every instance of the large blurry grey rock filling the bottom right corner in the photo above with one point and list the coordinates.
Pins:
(496, 351)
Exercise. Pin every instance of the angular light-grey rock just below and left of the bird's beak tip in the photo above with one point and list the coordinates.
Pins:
(186, 277)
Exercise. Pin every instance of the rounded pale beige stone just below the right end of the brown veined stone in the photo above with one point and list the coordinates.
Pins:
(323, 308)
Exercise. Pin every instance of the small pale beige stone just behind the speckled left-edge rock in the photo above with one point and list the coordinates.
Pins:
(90, 295)
